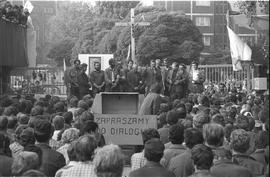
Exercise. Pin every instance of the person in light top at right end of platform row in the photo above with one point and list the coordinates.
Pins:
(197, 79)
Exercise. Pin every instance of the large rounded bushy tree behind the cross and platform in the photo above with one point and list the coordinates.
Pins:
(170, 35)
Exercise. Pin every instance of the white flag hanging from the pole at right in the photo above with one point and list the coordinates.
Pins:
(240, 51)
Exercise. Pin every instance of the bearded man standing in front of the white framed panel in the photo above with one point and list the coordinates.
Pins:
(97, 79)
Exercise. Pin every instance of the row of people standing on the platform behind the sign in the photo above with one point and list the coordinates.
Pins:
(174, 80)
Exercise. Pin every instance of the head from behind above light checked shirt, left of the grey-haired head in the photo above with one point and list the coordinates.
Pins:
(85, 148)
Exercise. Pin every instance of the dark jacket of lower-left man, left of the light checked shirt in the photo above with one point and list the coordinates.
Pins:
(51, 160)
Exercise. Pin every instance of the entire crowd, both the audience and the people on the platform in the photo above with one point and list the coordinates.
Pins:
(200, 132)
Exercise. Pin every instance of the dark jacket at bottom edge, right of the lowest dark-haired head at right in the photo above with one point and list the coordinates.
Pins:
(226, 168)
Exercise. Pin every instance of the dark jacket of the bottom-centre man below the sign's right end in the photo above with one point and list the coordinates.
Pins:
(151, 169)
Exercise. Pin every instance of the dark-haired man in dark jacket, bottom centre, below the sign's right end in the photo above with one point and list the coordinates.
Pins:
(153, 152)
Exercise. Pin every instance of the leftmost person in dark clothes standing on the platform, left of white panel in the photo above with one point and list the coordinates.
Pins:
(71, 79)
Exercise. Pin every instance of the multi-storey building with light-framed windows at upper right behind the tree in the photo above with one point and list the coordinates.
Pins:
(210, 18)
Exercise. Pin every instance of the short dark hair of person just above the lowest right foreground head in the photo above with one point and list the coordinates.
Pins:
(192, 137)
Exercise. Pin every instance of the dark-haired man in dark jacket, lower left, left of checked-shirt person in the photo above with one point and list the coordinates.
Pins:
(51, 159)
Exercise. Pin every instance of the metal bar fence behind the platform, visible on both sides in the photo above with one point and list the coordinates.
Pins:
(51, 80)
